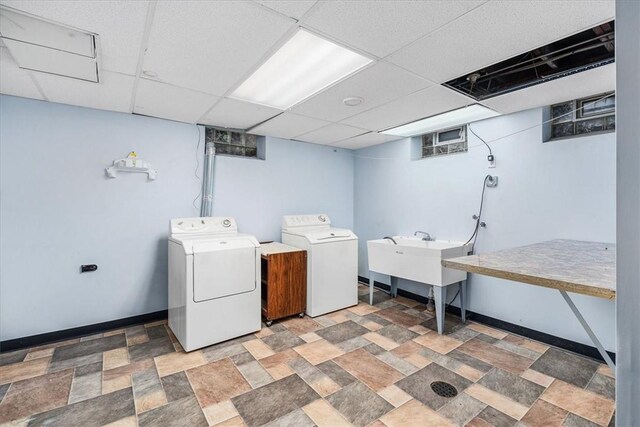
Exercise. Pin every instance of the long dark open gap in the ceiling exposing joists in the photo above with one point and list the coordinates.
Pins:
(580, 52)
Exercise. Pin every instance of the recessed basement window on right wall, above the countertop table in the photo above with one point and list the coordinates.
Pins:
(580, 117)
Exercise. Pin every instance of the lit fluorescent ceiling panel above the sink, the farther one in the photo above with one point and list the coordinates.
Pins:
(450, 119)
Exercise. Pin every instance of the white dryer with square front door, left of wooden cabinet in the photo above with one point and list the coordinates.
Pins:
(214, 281)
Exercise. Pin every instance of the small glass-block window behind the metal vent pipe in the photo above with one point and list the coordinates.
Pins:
(236, 142)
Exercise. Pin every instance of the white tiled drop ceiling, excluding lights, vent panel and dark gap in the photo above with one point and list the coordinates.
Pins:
(181, 60)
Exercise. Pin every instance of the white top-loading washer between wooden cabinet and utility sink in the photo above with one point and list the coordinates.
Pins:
(332, 261)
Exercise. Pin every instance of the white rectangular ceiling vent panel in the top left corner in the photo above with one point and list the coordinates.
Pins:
(40, 45)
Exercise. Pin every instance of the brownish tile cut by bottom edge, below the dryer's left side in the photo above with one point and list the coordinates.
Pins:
(185, 412)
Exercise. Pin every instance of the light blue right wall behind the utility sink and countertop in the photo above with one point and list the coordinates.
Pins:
(562, 189)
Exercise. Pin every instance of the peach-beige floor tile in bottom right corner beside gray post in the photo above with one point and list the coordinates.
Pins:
(588, 405)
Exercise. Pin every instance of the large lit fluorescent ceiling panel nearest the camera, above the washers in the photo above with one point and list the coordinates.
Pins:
(303, 66)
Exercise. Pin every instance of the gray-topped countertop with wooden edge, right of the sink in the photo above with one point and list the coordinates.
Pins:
(587, 268)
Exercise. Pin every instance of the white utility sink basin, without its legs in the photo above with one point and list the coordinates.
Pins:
(416, 259)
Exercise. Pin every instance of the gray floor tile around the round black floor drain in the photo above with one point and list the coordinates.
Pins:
(418, 385)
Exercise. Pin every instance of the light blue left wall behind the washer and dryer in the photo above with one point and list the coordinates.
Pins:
(58, 210)
